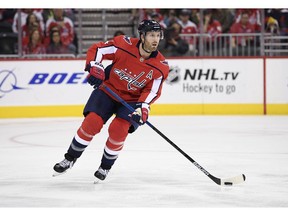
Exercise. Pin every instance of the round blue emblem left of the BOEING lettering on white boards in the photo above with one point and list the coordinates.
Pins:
(8, 82)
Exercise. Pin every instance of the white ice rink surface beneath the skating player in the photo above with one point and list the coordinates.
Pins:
(149, 171)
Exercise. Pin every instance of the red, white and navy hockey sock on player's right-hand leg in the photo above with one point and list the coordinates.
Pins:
(118, 131)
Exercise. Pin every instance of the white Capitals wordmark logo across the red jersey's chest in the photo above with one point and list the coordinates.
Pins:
(132, 80)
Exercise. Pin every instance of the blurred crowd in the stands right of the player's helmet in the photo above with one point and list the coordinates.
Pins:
(181, 25)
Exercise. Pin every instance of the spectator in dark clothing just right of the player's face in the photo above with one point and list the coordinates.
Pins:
(173, 44)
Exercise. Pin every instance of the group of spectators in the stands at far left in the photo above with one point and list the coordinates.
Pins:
(44, 31)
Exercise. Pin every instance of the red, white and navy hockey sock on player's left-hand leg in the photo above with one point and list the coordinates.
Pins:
(91, 125)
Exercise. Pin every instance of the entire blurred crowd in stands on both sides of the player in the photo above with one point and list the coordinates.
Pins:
(51, 31)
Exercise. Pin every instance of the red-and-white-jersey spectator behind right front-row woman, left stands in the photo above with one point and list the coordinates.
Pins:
(64, 25)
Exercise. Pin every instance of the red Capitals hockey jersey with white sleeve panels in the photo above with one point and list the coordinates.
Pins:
(132, 77)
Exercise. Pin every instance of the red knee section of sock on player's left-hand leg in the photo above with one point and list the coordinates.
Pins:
(92, 124)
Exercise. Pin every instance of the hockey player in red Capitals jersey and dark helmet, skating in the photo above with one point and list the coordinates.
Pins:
(136, 74)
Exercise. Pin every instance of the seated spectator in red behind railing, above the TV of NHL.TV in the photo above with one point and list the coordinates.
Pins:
(242, 43)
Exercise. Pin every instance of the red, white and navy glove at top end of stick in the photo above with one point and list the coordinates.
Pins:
(96, 74)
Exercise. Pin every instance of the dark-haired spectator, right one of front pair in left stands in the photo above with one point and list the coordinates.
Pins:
(55, 45)
